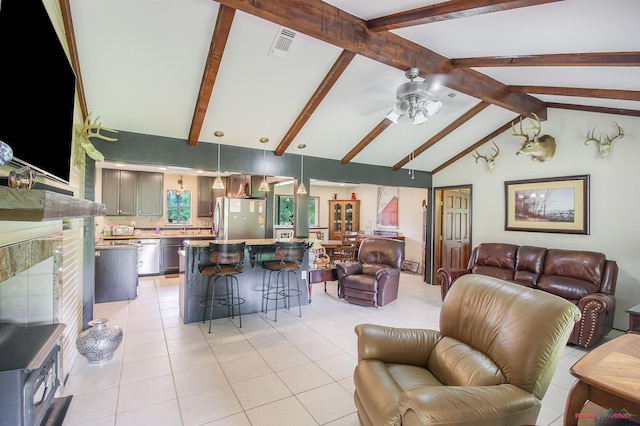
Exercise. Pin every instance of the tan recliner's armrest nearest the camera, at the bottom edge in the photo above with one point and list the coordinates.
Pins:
(441, 404)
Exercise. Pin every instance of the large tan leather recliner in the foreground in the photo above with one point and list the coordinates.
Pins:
(490, 363)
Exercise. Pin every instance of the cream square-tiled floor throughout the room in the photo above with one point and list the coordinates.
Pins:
(297, 371)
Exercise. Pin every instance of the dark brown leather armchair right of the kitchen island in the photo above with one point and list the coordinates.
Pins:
(374, 279)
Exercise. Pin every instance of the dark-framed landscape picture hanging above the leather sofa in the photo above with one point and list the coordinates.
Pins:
(558, 204)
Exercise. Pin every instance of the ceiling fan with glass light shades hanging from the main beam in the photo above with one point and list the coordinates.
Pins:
(414, 100)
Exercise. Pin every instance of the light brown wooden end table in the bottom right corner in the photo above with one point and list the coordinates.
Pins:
(609, 376)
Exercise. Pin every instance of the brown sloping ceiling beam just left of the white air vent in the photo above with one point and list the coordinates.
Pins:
(216, 49)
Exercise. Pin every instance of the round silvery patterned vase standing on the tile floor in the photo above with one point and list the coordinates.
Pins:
(98, 343)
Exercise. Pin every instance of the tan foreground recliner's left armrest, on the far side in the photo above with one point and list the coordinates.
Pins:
(395, 345)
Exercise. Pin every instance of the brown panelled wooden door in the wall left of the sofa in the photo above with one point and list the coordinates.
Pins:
(455, 229)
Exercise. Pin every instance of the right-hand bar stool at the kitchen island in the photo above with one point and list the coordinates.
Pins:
(290, 256)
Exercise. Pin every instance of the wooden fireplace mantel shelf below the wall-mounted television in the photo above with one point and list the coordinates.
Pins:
(37, 205)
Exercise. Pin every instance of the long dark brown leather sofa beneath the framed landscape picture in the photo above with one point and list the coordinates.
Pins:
(587, 279)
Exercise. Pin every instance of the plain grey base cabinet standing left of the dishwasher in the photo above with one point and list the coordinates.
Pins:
(116, 274)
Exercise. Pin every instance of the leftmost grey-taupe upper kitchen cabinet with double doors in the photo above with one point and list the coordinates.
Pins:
(119, 192)
